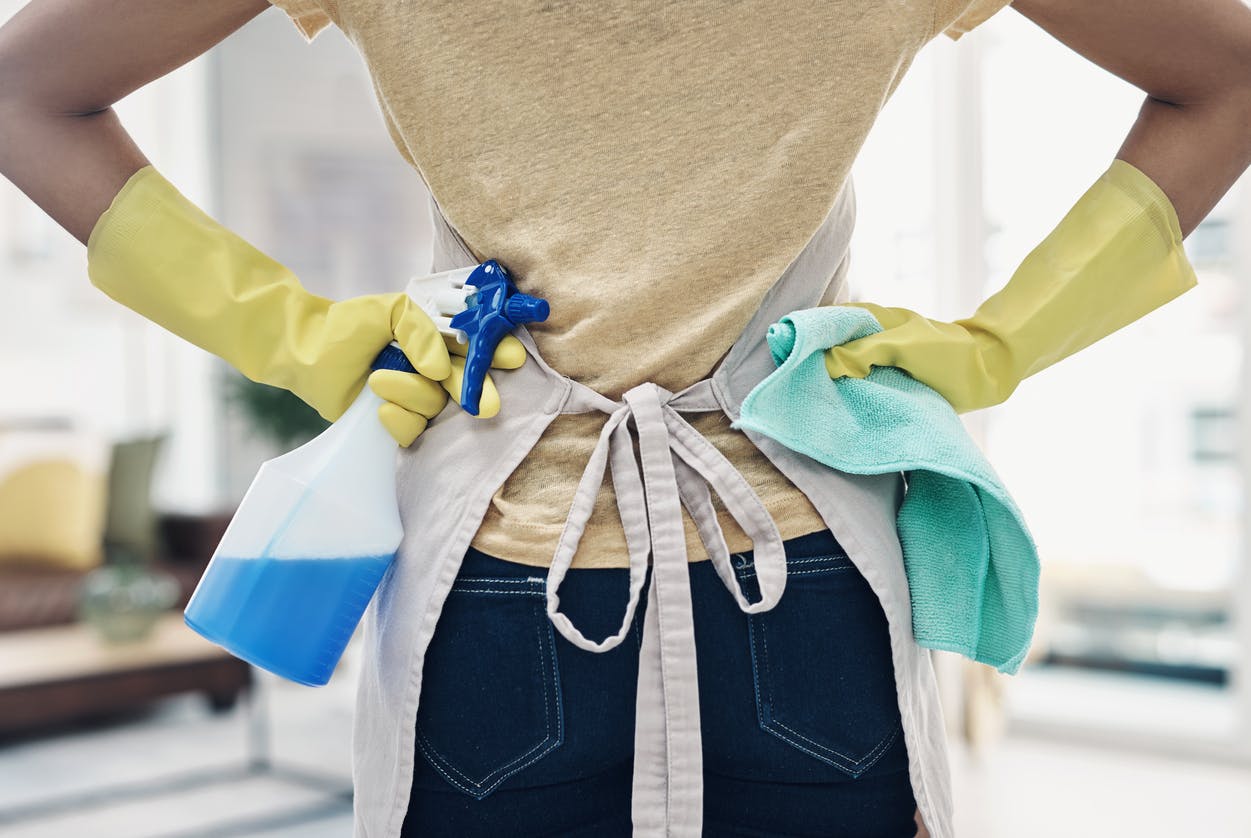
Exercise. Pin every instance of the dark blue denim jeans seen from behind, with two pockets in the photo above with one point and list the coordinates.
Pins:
(522, 734)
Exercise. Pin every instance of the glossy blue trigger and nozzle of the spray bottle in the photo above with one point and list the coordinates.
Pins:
(497, 310)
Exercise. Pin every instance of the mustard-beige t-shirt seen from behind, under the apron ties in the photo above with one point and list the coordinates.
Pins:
(650, 168)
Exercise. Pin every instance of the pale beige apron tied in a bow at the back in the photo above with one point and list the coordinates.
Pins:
(447, 481)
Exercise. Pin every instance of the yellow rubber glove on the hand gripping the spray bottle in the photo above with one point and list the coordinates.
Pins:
(157, 253)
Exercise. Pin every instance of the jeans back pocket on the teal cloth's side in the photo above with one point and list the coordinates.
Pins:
(823, 664)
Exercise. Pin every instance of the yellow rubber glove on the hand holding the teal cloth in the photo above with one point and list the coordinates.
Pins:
(1115, 257)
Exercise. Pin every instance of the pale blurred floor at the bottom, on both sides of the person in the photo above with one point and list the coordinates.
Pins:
(1026, 789)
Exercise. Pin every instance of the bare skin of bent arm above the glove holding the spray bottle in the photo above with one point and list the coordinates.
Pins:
(63, 67)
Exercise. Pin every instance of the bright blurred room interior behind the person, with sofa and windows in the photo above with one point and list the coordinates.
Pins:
(123, 452)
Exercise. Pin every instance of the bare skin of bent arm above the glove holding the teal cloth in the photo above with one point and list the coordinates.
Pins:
(1193, 136)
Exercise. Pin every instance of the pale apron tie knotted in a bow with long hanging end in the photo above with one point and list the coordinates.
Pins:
(677, 466)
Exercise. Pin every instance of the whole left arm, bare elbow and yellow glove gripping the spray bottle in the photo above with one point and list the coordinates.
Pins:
(63, 66)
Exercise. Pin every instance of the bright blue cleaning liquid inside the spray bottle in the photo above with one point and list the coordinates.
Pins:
(291, 617)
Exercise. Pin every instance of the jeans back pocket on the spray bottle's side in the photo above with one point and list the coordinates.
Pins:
(491, 691)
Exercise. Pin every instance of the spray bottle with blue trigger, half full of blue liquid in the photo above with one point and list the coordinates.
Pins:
(320, 526)
